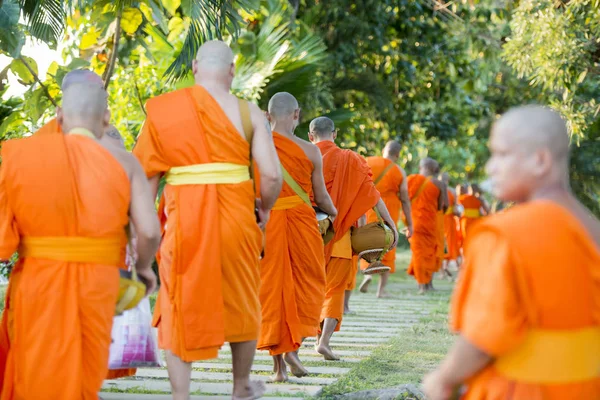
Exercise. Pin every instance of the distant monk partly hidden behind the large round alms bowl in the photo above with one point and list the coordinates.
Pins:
(390, 180)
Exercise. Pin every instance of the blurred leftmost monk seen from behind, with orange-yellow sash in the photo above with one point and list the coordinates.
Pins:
(64, 288)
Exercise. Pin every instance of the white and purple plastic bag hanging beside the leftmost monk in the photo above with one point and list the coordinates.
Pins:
(134, 340)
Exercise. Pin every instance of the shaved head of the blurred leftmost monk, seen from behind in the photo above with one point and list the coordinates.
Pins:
(84, 105)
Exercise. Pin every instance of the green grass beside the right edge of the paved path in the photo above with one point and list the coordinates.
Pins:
(409, 355)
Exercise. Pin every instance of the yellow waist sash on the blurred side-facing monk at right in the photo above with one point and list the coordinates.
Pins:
(554, 357)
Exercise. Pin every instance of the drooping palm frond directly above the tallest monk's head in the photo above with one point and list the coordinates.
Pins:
(209, 19)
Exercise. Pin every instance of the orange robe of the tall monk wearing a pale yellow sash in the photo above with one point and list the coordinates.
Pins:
(209, 256)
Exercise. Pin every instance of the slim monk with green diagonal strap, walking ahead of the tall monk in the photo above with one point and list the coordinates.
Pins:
(293, 269)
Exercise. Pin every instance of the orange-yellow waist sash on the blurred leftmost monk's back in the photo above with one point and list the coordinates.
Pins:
(106, 251)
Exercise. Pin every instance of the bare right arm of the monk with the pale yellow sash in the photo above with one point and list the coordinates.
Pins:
(265, 156)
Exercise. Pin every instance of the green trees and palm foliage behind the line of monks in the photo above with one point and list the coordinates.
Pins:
(433, 75)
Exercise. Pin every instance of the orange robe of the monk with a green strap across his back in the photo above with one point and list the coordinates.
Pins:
(293, 269)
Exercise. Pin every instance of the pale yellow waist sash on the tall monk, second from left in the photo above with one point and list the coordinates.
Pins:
(208, 174)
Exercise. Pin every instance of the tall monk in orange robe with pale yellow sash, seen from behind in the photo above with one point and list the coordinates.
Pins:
(200, 138)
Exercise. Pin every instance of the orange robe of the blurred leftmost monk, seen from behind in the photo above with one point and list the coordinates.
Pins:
(54, 304)
